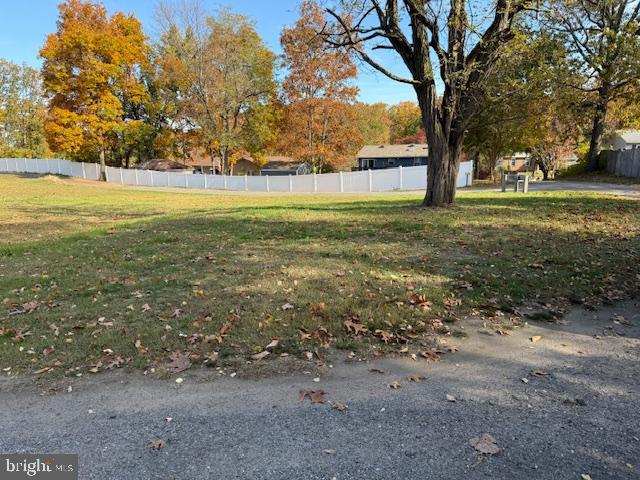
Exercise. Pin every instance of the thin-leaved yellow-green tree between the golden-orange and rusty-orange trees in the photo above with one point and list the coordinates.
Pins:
(218, 70)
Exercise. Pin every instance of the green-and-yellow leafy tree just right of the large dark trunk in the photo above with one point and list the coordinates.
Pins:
(520, 108)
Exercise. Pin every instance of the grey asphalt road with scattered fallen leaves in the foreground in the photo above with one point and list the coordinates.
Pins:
(582, 418)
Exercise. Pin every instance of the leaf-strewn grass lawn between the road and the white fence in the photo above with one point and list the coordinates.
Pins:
(97, 277)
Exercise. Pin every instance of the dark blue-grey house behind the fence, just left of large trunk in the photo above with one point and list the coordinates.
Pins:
(375, 157)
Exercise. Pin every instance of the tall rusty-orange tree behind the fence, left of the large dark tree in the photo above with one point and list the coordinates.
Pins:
(319, 124)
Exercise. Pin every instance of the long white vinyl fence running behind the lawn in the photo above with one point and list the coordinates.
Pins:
(401, 178)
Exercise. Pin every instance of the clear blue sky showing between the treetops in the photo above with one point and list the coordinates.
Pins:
(25, 23)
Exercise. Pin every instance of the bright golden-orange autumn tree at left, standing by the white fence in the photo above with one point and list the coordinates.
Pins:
(91, 69)
